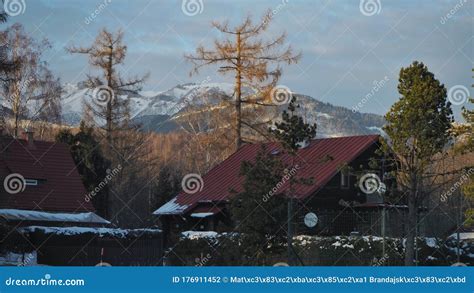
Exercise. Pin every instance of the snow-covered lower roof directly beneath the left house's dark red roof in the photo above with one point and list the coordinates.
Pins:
(26, 215)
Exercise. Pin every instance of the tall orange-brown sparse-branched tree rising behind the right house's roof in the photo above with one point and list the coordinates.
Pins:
(249, 59)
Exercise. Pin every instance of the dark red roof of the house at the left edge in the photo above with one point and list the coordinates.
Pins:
(60, 188)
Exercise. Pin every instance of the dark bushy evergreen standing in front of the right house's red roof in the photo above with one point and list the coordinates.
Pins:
(259, 214)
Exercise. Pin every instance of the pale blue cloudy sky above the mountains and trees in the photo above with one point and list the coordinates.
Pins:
(352, 51)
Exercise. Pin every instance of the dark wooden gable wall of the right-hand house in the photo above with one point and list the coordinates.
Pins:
(333, 204)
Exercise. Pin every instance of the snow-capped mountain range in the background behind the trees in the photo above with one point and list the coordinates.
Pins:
(160, 111)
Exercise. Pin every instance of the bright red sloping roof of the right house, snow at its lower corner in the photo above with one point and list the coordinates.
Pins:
(320, 160)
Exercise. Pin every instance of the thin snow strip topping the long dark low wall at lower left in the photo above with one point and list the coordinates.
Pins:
(101, 232)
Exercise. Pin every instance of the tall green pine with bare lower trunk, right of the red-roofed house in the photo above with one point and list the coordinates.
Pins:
(418, 128)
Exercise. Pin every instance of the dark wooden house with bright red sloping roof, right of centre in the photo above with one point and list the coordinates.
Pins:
(336, 165)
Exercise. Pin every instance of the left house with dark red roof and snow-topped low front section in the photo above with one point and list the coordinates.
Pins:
(46, 219)
